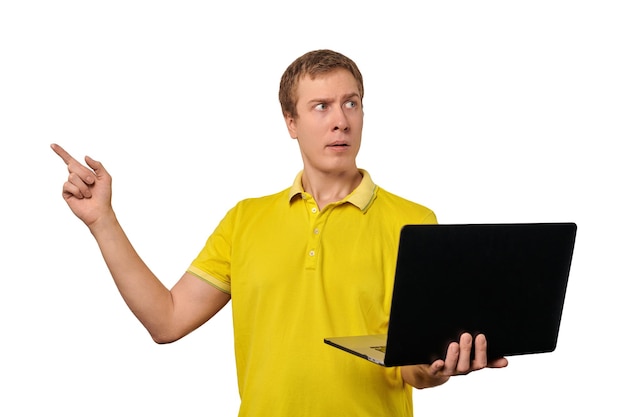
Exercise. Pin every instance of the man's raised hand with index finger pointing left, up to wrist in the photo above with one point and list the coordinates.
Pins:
(86, 191)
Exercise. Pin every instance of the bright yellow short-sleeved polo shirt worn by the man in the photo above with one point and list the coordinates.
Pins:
(297, 274)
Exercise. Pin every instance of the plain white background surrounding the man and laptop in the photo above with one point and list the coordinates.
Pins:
(484, 111)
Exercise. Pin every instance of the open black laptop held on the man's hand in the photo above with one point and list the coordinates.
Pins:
(506, 281)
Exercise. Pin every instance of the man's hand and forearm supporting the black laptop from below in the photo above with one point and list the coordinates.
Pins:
(458, 361)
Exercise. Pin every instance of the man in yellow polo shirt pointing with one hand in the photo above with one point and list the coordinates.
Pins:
(314, 260)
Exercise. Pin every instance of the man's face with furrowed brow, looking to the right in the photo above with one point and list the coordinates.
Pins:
(329, 122)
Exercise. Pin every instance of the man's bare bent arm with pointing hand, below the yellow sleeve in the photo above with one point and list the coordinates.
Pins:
(167, 315)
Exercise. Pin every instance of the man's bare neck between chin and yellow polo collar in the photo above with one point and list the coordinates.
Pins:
(328, 188)
